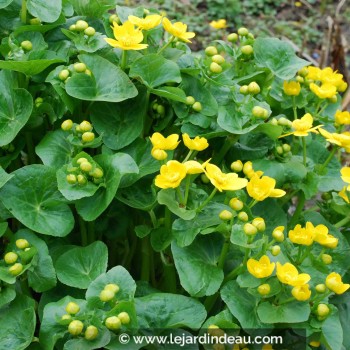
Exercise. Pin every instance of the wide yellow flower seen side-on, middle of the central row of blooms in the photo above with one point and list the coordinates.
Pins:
(222, 181)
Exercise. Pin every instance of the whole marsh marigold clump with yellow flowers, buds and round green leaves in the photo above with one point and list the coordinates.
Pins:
(144, 188)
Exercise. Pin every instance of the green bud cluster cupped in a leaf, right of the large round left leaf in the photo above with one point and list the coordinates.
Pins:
(84, 171)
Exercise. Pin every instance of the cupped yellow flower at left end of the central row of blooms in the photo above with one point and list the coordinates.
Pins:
(171, 175)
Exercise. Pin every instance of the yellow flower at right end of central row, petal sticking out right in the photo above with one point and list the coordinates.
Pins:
(261, 188)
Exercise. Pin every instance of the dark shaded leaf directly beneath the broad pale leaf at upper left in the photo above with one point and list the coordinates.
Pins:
(120, 123)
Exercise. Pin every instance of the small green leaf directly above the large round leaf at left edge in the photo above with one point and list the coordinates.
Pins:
(54, 149)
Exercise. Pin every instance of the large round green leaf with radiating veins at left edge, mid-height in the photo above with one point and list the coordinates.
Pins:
(33, 199)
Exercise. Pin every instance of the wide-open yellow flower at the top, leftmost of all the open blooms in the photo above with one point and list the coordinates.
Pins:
(127, 37)
